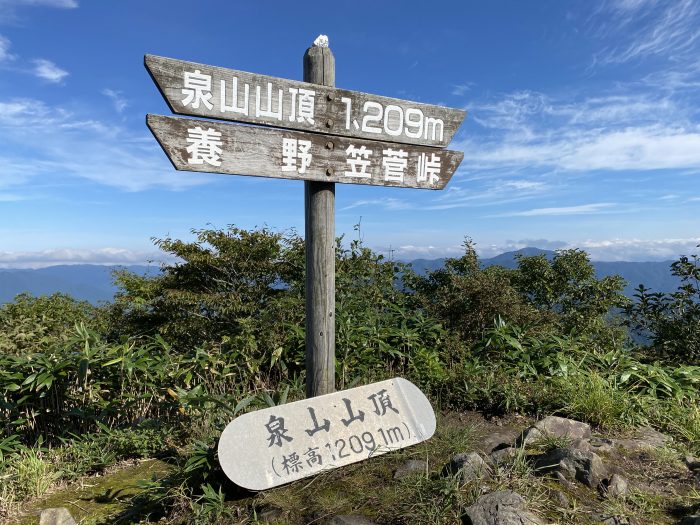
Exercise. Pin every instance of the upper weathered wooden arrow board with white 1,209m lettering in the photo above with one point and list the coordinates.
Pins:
(213, 92)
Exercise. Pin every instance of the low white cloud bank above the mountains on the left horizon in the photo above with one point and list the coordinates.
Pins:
(105, 256)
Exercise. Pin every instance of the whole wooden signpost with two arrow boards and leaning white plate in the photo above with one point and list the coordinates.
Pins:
(328, 135)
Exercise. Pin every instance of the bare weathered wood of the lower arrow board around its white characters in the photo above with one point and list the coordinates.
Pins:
(257, 151)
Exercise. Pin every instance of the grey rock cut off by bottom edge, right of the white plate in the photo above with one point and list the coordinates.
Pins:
(500, 508)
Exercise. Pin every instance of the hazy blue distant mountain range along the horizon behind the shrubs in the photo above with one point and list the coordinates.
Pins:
(92, 282)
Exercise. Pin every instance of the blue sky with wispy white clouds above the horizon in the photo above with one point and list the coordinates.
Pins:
(583, 125)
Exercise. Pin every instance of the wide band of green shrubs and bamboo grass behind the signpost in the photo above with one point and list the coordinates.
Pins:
(165, 367)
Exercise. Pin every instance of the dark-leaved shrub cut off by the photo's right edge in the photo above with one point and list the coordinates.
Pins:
(672, 320)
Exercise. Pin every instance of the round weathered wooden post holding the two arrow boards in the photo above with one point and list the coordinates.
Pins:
(319, 207)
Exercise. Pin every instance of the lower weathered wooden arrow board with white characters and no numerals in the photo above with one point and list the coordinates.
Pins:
(196, 145)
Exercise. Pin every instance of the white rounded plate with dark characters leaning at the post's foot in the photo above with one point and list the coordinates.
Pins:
(277, 445)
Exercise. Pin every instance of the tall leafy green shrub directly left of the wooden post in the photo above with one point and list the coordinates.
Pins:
(234, 291)
